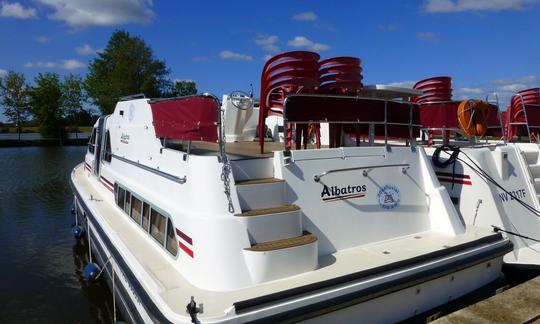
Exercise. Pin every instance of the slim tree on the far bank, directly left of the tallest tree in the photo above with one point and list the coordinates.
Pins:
(72, 101)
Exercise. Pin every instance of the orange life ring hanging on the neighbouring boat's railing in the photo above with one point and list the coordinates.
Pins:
(472, 117)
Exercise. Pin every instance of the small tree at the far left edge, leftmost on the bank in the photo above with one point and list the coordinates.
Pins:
(14, 96)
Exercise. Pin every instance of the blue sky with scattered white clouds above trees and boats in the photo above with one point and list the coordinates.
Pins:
(485, 45)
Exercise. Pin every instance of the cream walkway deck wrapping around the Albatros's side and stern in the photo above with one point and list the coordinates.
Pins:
(175, 290)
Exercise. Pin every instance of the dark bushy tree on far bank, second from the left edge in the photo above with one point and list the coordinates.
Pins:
(46, 105)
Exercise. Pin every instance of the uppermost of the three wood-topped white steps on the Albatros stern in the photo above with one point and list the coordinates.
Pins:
(261, 193)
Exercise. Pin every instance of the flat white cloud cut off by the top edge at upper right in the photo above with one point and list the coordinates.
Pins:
(444, 6)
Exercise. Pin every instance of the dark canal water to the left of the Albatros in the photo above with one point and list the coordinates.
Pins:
(40, 262)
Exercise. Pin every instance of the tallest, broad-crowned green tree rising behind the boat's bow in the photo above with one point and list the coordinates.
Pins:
(126, 66)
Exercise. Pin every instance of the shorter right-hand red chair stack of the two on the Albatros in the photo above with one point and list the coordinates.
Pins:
(340, 75)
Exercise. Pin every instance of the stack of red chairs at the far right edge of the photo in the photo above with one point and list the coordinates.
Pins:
(516, 112)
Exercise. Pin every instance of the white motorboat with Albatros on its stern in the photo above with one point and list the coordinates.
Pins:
(343, 234)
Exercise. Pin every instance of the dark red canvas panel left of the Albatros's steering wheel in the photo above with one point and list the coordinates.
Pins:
(188, 118)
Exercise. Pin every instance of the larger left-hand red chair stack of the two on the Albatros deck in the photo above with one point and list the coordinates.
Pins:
(285, 74)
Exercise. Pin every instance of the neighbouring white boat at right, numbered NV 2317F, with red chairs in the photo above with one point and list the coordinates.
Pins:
(492, 184)
